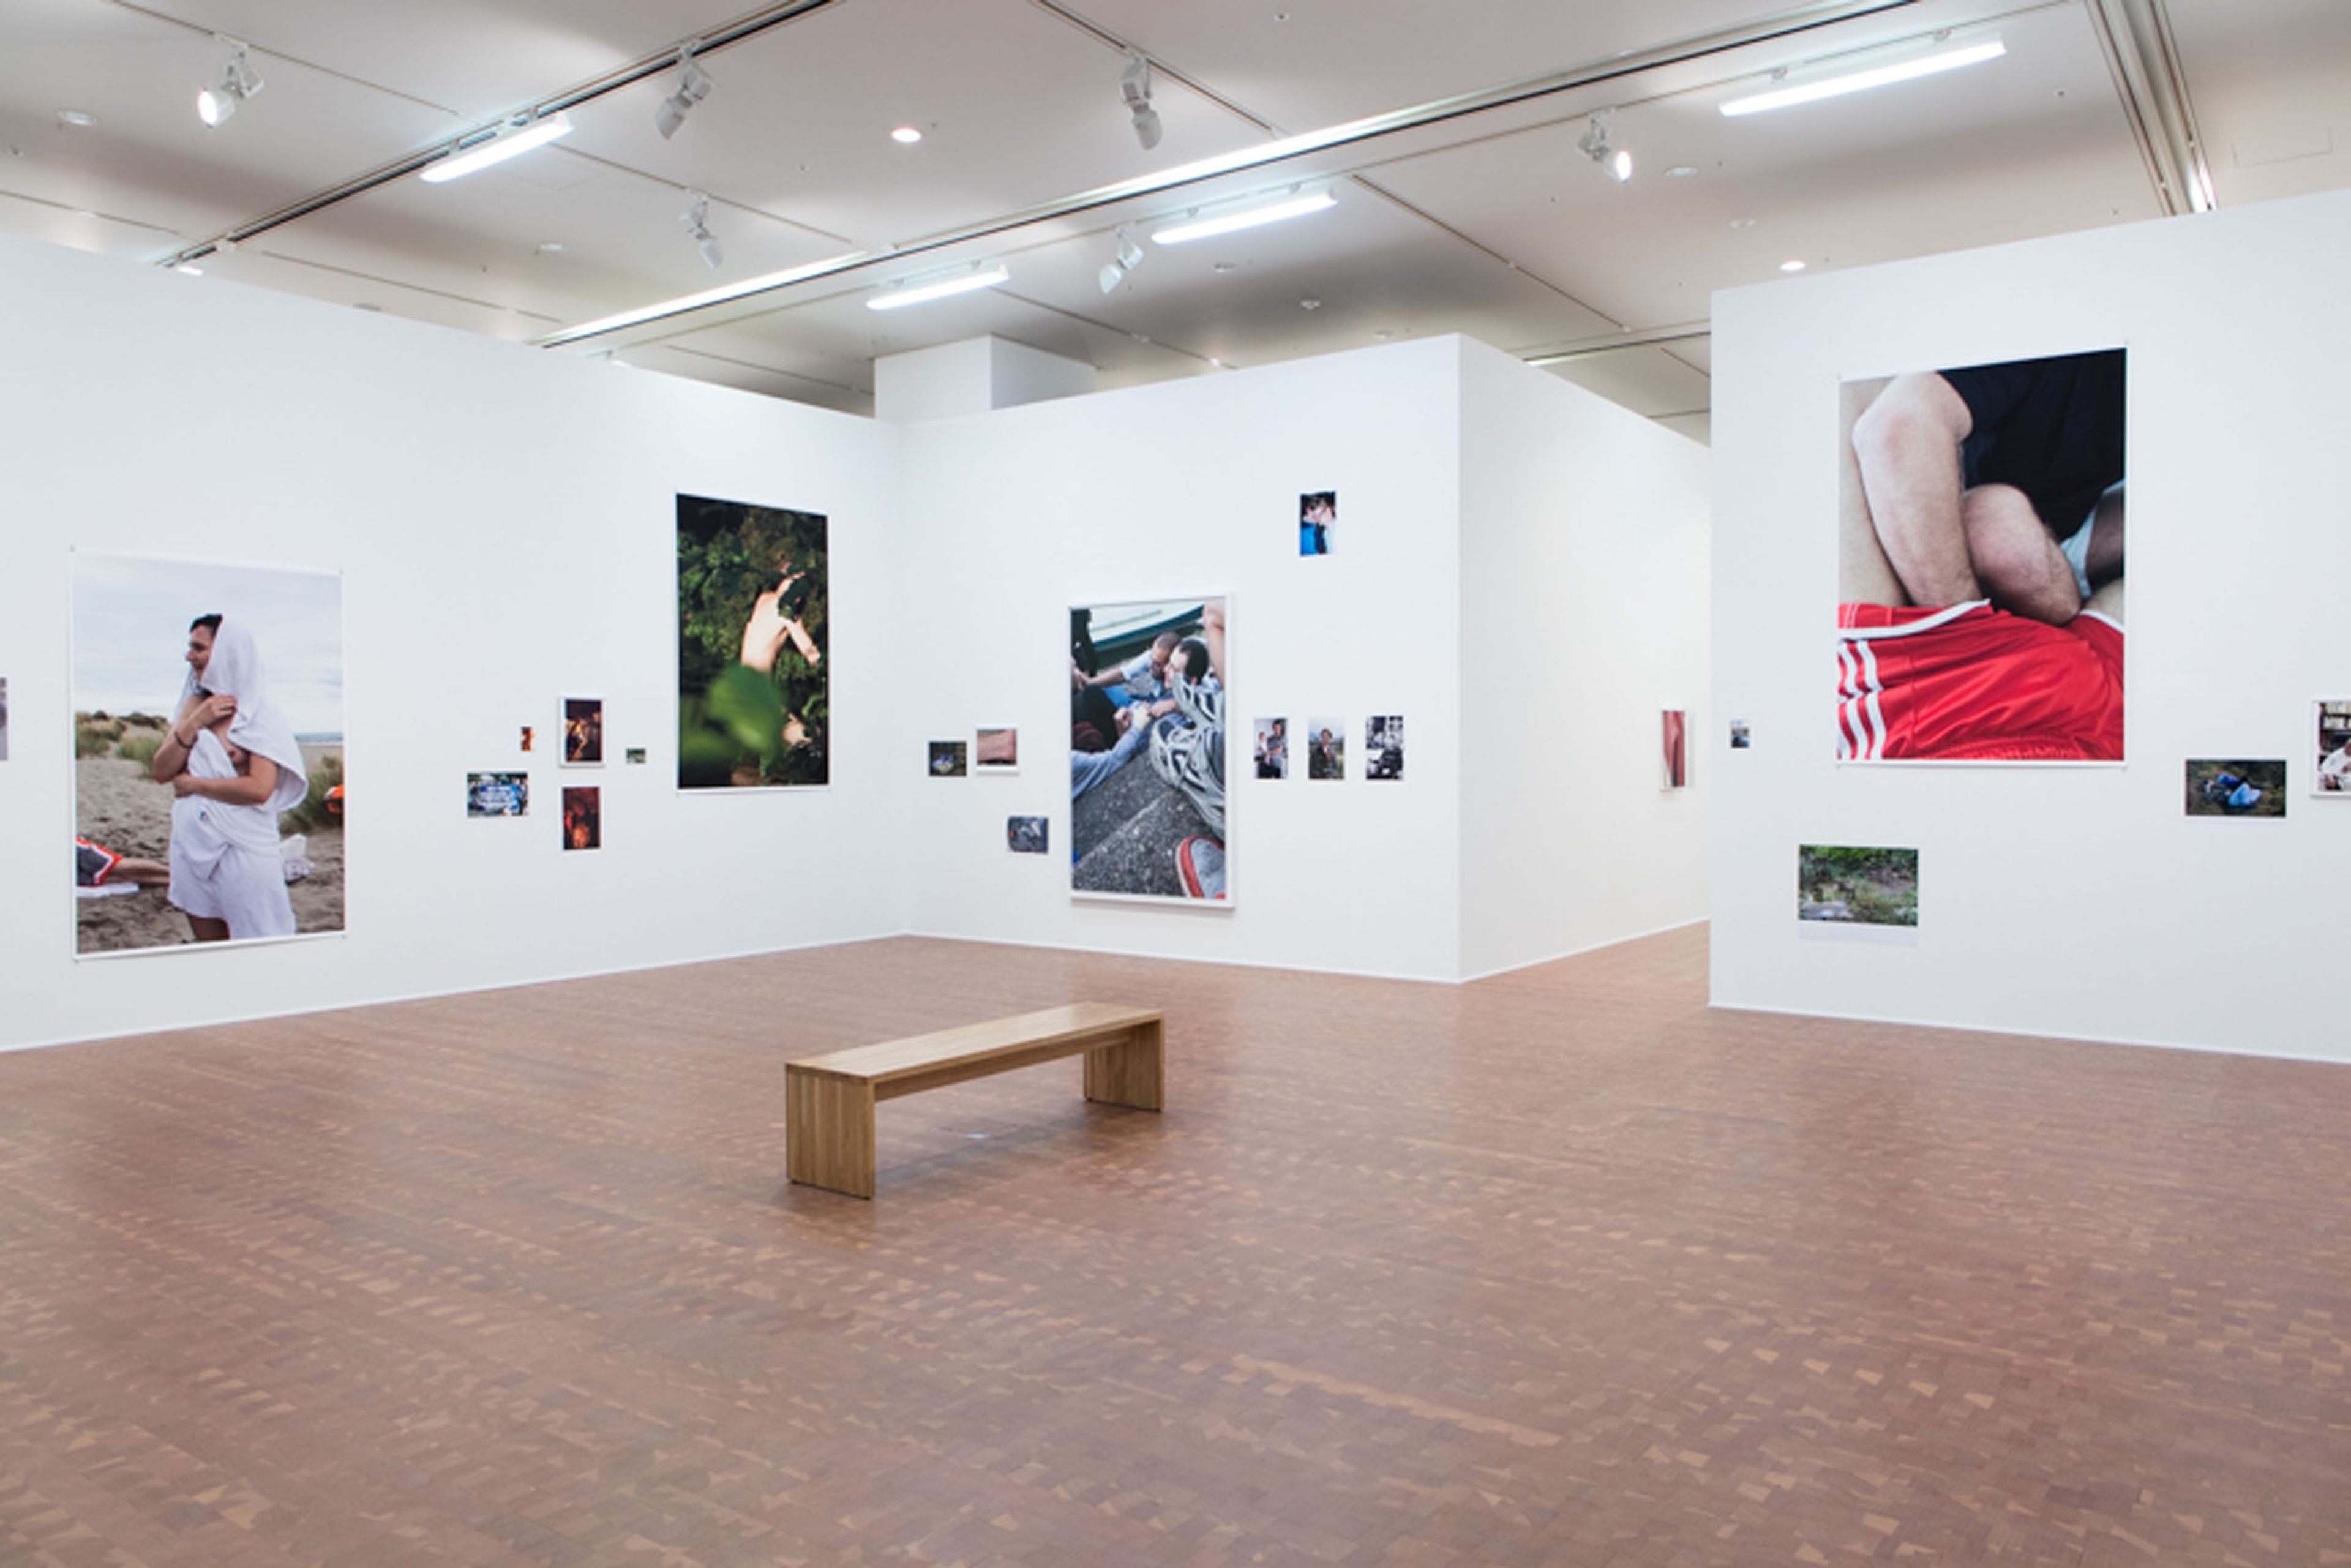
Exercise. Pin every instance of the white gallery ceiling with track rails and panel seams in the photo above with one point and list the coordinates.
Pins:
(1475, 217)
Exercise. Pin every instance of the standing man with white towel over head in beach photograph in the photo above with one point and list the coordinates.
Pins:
(234, 765)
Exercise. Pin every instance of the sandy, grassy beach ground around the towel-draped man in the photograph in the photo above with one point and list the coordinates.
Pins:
(121, 808)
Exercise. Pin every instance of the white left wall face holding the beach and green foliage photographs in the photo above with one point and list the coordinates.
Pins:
(504, 528)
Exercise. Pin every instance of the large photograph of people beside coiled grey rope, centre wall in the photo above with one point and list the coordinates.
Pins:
(1148, 772)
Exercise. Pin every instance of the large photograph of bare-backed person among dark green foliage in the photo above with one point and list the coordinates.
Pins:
(751, 648)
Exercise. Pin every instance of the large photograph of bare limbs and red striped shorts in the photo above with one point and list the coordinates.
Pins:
(1981, 612)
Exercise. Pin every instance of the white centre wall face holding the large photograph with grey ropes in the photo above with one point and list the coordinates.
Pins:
(1174, 490)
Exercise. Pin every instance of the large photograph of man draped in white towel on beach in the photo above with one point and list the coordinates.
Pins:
(208, 753)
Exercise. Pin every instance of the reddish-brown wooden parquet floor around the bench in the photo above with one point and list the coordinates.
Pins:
(1558, 1268)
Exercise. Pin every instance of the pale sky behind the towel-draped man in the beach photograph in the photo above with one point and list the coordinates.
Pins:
(130, 634)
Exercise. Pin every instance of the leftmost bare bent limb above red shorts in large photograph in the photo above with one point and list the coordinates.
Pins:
(1905, 450)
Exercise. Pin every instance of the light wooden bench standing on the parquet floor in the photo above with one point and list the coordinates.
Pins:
(829, 1101)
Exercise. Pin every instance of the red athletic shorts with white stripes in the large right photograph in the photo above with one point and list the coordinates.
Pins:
(1971, 683)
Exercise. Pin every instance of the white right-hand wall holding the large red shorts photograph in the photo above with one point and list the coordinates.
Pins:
(2058, 899)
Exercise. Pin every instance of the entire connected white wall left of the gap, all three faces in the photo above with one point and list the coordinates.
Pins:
(502, 523)
